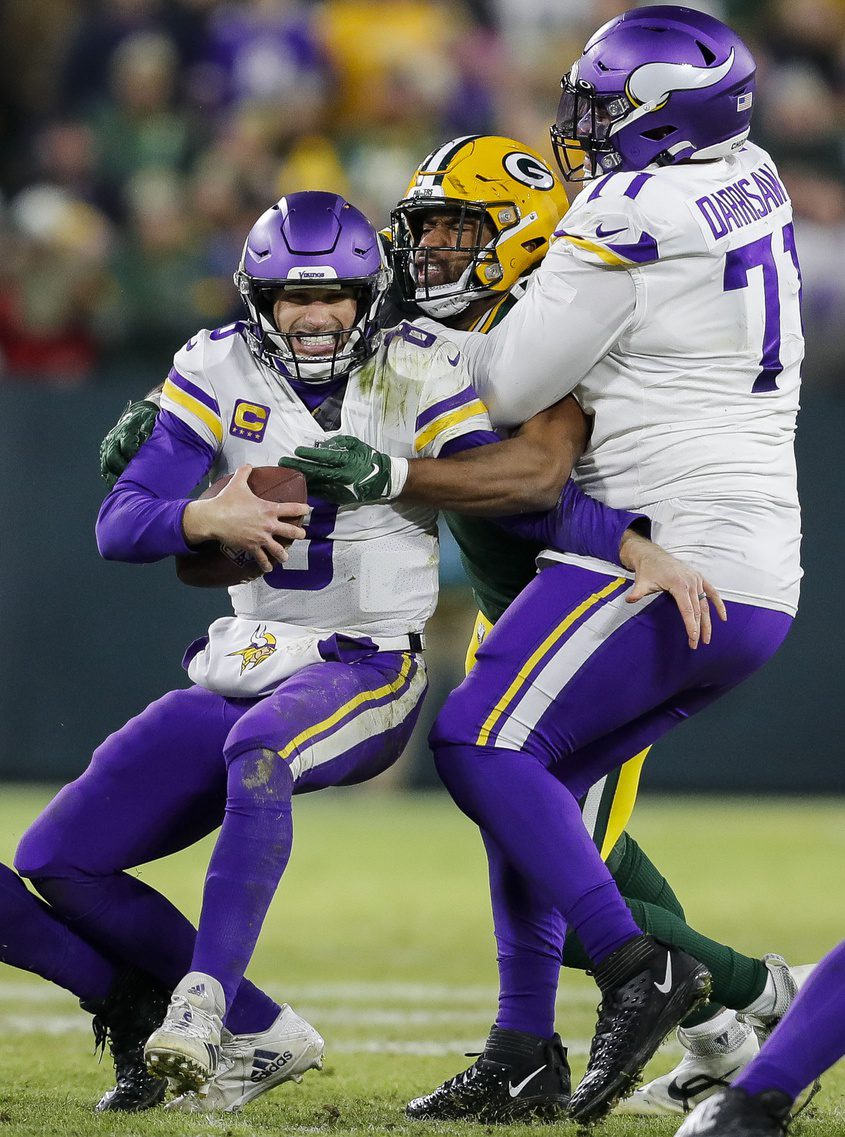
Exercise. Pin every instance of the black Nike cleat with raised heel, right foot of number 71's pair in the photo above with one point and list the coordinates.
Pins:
(648, 989)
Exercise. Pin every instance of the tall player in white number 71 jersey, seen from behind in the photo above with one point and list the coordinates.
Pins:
(669, 305)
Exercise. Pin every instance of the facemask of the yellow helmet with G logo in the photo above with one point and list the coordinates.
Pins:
(416, 263)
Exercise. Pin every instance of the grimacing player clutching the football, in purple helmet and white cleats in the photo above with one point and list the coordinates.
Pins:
(318, 677)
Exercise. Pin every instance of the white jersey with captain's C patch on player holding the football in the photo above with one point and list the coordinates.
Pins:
(369, 570)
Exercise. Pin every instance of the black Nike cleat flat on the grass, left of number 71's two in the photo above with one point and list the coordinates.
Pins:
(533, 1084)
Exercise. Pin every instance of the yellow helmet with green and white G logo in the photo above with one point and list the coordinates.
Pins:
(507, 203)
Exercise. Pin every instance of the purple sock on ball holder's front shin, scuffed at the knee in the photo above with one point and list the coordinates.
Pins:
(246, 867)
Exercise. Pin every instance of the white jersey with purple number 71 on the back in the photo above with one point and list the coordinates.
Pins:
(686, 350)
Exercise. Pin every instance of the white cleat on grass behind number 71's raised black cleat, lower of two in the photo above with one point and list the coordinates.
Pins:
(717, 1052)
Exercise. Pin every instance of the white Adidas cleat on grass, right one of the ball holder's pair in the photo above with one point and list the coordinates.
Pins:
(252, 1065)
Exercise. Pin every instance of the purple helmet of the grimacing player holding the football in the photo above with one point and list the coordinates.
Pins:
(319, 242)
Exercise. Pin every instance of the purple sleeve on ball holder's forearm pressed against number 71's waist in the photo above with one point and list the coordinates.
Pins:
(579, 525)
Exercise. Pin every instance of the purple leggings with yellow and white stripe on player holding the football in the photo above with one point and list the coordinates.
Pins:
(171, 776)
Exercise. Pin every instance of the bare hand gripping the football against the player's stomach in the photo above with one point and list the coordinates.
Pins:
(239, 519)
